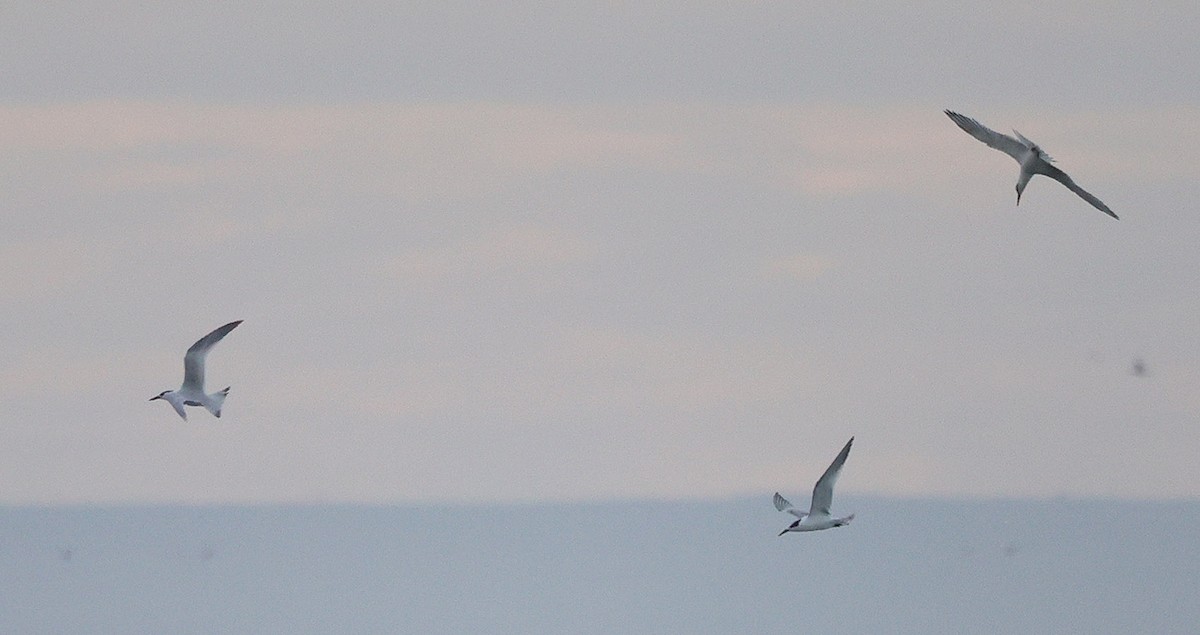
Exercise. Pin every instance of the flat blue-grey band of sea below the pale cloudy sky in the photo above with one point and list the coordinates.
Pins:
(904, 567)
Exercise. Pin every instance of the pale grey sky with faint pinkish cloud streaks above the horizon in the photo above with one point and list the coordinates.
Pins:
(523, 253)
